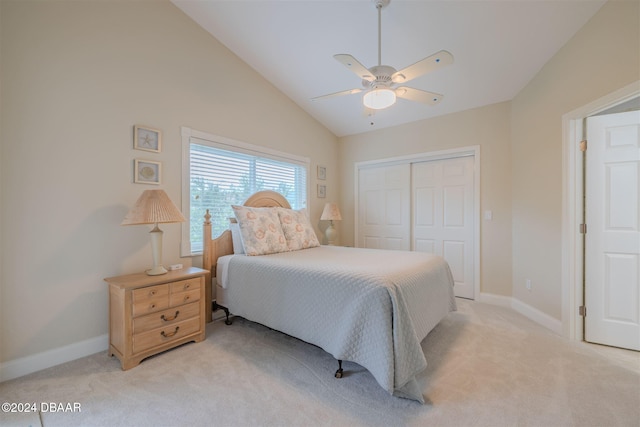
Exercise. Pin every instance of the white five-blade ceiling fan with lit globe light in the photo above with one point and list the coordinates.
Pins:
(382, 83)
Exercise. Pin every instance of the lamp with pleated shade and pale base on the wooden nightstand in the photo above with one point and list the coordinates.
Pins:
(154, 207)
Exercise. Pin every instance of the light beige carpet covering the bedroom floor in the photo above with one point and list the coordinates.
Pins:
(488, 366)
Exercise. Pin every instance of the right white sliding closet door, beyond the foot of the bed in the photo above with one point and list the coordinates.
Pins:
(443, 223)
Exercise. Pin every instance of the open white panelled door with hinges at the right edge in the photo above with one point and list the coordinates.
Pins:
(612, 241)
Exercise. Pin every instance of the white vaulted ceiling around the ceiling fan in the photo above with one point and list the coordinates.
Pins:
(498, 47)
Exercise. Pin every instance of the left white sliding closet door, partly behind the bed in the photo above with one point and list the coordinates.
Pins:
(384, 207)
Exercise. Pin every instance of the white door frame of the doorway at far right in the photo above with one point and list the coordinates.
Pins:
(572, 193)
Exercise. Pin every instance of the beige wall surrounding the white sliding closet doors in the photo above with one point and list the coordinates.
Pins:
(487, 127)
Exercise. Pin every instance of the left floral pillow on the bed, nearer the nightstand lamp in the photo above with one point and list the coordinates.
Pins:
(260, 230)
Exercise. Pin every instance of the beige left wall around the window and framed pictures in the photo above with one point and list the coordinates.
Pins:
(75, 78)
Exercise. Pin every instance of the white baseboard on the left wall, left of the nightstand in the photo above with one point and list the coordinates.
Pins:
(29, 364)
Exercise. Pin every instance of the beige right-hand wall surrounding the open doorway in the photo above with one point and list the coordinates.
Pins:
(601, 58)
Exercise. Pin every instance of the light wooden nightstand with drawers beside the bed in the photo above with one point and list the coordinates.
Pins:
(151, 314)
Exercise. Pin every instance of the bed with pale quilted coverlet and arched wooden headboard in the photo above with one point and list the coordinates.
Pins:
(369, 306)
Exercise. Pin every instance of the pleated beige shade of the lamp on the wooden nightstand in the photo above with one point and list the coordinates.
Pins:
(153, 207)
